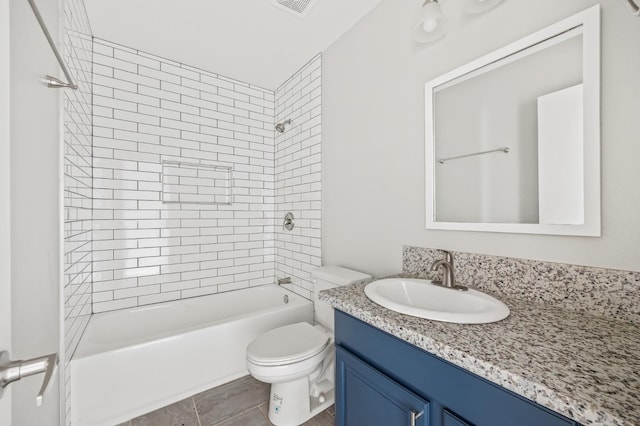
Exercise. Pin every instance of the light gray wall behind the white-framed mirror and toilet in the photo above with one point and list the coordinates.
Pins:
(373, 153)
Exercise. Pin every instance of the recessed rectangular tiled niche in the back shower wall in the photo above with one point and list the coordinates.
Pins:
(195, 183)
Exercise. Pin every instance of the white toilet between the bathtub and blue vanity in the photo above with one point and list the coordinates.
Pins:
(298, 360)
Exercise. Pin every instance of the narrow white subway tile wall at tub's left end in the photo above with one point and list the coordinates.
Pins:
(77, 182)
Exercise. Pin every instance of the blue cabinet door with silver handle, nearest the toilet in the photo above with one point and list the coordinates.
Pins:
(365, 396)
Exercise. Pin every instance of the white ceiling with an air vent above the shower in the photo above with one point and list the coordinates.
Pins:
(249, 40)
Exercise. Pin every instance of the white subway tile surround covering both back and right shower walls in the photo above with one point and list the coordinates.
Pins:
(160, 130)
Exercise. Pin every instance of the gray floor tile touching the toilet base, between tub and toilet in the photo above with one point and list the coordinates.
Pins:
(231, 399)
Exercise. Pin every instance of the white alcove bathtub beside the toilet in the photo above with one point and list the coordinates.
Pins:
(133, 361)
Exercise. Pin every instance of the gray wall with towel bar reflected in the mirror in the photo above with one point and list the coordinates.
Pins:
(498, 108)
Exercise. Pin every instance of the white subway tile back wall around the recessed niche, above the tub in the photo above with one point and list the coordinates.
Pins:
(149, 110)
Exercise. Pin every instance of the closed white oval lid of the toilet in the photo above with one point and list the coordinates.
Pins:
(287, 344)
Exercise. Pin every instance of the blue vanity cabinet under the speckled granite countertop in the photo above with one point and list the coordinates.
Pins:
(384, 381)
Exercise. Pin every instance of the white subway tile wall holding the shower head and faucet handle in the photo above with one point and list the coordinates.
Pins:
(298, 175)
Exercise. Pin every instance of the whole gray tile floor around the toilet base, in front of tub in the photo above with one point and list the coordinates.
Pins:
(243, 402)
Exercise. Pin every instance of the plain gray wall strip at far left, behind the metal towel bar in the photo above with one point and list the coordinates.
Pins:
(35, 205)
